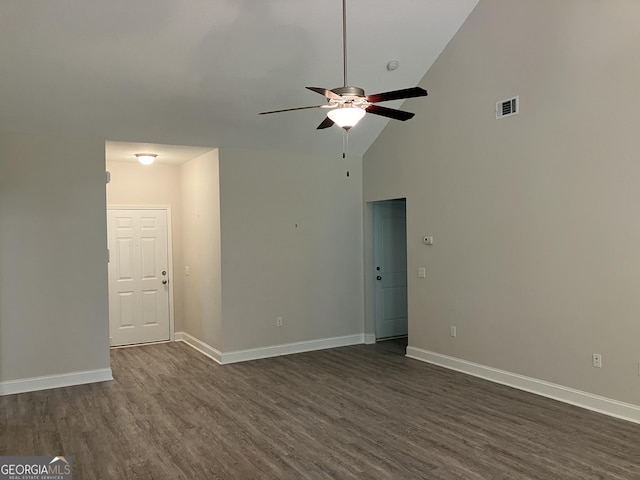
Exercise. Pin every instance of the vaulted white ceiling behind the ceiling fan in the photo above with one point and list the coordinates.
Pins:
(198, 72)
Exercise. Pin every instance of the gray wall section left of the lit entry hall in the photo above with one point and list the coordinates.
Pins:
(53, 256)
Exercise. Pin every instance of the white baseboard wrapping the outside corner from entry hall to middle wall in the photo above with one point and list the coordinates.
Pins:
(224, 358)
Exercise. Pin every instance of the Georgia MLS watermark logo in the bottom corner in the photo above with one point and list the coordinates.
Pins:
(35, 468)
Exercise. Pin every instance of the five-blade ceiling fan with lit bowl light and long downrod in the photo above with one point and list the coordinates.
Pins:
(349, 104)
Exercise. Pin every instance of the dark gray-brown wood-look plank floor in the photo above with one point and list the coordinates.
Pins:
(364, 412)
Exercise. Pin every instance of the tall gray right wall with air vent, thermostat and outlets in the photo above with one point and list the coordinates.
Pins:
(534, 216)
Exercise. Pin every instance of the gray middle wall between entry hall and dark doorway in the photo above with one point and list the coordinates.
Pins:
(291, 227)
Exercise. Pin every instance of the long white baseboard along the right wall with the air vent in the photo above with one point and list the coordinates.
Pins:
(607, 406)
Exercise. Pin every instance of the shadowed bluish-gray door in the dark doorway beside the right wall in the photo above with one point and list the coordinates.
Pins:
(390, 263)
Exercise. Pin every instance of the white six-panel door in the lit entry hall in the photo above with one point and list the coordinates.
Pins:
(138, 276)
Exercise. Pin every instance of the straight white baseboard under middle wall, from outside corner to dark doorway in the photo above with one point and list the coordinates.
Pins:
(289, 348)
